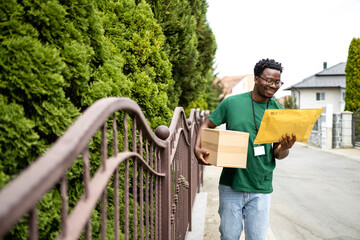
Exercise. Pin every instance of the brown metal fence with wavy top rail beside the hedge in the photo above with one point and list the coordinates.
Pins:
(153, 177)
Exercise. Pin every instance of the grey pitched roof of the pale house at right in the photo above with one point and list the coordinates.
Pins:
(318, 81)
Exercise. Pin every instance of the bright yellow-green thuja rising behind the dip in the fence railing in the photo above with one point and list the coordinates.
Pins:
(135, 33)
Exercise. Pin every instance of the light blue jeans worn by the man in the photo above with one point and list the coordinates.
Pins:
(236, 206)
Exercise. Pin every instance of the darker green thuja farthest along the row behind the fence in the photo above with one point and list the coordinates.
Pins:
(190, 45)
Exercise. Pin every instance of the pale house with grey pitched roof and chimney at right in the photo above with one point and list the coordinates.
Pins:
(323, 88)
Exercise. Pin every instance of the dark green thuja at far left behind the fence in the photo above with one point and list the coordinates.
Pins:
(34, 107)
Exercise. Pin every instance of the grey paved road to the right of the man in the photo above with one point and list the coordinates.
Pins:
(316, 196)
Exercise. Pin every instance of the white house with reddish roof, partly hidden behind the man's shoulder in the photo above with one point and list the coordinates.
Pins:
(233, 85)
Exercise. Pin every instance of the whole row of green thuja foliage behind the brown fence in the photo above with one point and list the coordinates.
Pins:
(58, 57)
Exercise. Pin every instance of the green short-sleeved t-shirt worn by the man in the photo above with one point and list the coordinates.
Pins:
(236, 111)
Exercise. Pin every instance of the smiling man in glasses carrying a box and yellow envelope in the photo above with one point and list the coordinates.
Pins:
(245, 194)
